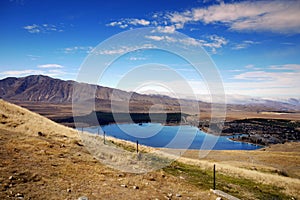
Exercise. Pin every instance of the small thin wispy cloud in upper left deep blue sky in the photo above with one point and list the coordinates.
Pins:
(43, 28)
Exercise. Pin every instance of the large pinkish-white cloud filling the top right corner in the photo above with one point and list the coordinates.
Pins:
(275, 16)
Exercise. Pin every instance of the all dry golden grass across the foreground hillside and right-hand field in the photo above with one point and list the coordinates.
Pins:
(45, 165)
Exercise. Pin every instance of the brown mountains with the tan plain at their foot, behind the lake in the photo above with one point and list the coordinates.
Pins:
(53, 98)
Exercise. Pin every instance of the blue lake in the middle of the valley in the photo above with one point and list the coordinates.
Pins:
(178, 137)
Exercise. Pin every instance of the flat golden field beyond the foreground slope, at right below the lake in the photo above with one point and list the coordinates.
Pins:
(277, 159)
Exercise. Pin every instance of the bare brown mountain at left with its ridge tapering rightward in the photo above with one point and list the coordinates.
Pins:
(40, 88)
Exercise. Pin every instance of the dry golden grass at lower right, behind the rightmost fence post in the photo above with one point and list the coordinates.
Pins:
(269, 166)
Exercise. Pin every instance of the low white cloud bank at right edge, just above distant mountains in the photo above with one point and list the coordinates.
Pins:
(279, 80)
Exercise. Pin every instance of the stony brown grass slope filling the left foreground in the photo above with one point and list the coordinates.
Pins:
(44, 160)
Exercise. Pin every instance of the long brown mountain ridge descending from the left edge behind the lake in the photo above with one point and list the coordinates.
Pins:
(46, 89)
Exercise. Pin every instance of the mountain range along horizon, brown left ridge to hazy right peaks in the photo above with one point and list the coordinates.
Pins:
(40, 88)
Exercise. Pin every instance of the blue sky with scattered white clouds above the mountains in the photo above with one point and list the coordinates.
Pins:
(255, 45)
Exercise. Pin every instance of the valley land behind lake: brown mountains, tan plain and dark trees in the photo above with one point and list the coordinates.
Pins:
(264, 124)
